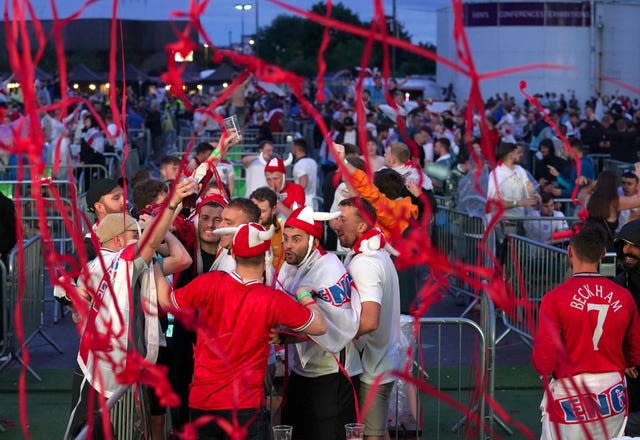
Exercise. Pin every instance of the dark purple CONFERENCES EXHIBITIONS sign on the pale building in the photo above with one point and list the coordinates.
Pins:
(527, 14)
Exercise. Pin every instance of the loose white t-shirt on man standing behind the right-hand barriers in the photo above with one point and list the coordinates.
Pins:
(509, 185)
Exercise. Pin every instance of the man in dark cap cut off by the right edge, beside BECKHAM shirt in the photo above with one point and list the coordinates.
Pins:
(628, 250)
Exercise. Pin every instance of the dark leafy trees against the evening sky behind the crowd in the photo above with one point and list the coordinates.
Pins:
(293, 43)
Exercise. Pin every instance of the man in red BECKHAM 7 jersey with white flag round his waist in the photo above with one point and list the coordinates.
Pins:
(588, 333)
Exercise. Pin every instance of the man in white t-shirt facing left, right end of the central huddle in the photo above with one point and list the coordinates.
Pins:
(376, 279)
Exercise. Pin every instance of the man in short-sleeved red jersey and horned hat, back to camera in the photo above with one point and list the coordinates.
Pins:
(234, 314)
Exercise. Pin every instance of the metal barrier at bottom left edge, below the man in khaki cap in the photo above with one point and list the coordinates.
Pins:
(125, 413)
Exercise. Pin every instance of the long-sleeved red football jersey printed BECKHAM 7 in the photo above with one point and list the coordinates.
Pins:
(588, 324)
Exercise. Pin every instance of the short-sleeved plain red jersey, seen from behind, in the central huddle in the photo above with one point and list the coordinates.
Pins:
(234, 322)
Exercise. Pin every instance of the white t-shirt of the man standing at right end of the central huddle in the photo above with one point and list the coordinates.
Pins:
(377, 280)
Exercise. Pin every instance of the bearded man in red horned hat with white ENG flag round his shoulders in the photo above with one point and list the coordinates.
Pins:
(319, 397)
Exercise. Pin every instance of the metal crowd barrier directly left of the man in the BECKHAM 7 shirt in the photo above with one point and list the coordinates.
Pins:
(532, 269)
